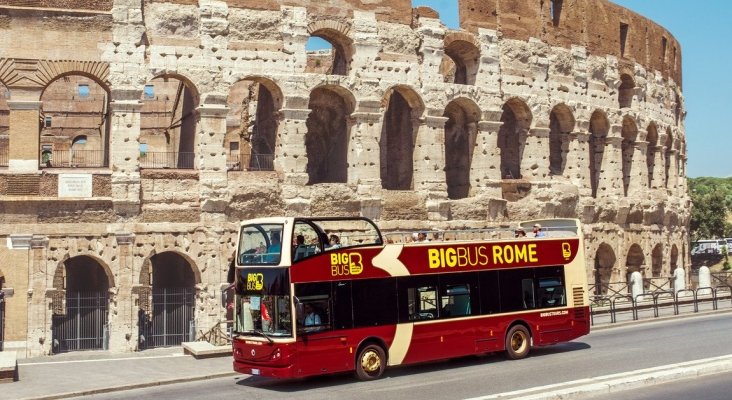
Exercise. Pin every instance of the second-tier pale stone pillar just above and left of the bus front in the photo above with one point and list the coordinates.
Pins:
(211, 154)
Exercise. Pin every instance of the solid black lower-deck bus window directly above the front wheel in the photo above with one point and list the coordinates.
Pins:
(374, 302)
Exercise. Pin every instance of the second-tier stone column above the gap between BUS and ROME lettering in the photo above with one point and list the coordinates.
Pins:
(485, 174)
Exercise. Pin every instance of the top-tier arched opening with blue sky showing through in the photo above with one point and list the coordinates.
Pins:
(329, 52)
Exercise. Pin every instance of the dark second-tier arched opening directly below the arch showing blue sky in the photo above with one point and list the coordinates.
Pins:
(326, 140)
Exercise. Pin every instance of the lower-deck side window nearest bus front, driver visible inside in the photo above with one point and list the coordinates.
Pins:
(313, 307)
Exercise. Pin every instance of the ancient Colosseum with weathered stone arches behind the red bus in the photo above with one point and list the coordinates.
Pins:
(135, 134)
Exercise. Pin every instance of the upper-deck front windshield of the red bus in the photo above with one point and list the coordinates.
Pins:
(260, 244)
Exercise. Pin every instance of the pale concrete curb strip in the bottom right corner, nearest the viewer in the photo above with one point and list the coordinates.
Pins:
(620, 382)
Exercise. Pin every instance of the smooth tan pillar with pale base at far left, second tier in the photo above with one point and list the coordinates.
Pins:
(24, 135)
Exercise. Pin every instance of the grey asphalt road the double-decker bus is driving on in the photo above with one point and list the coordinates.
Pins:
(603, 352)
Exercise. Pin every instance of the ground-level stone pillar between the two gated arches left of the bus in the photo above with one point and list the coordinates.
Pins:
(123, 327)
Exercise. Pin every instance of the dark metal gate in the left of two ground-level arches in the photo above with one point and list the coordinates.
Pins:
(84, 327)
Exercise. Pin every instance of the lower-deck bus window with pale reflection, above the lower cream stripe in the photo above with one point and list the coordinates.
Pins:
(418, 298)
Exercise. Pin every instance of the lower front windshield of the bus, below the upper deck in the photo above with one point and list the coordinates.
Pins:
(263, 305)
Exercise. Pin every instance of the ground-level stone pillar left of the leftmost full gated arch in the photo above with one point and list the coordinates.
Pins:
(40, 277)
